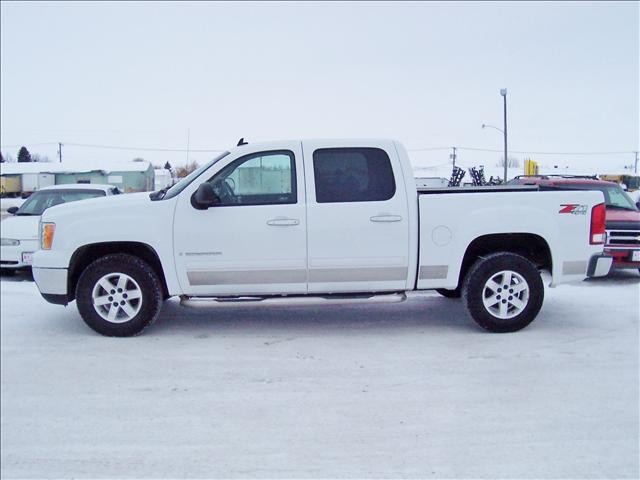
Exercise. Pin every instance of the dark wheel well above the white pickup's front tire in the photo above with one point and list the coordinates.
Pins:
(82, 257)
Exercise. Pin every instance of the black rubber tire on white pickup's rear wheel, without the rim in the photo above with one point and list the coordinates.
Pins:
(474, 292)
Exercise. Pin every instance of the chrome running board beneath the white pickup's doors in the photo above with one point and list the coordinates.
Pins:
(299, 300)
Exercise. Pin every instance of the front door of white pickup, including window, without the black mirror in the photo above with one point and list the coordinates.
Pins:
(254, 241)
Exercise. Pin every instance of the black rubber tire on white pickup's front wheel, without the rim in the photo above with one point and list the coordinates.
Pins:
(138, 270)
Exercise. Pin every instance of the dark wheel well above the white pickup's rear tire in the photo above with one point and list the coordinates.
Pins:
(532, 247)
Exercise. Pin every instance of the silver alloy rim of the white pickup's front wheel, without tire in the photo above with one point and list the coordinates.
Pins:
(117, 297)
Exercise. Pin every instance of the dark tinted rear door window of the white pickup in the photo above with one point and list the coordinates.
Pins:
(352, 175)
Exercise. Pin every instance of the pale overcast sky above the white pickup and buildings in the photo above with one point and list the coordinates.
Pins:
(428, 74)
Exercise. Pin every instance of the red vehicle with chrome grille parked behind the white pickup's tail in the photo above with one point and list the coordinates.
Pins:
(622, 216)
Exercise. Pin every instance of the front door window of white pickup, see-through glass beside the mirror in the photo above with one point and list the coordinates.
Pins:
(265, 178)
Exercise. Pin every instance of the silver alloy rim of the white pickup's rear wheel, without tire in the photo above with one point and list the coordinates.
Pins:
(505, 294)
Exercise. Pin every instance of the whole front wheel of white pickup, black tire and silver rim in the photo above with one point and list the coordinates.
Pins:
(119, 295)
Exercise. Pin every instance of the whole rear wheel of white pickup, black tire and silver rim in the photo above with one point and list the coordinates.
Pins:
(503, 292)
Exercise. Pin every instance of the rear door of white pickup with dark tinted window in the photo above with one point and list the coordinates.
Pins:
(357, 214)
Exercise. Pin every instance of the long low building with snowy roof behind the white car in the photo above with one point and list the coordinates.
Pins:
(27, 177)
